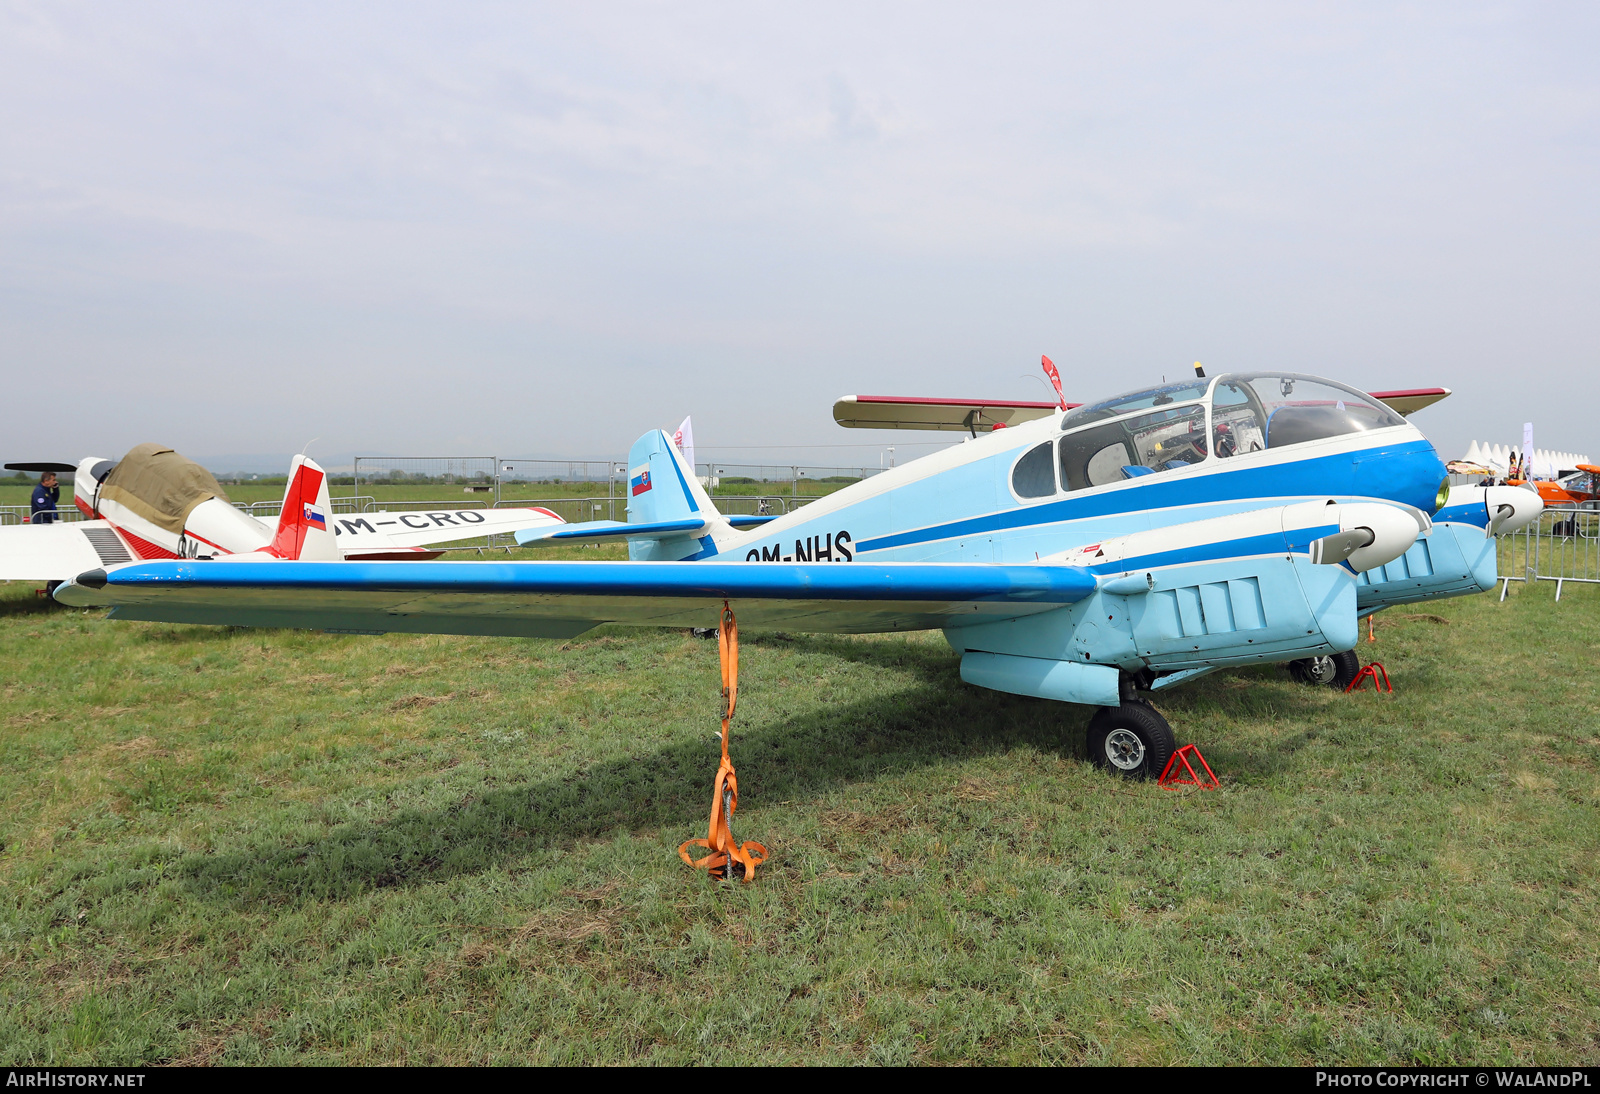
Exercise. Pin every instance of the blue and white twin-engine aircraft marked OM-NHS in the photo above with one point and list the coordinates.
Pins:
(1089, 556)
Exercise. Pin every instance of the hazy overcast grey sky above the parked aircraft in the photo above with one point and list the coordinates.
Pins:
(524, 230)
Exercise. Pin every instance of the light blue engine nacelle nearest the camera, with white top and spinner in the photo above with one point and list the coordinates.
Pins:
(1254, 588)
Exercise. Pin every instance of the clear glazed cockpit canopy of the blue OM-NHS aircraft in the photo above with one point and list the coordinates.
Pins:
(1174, 426)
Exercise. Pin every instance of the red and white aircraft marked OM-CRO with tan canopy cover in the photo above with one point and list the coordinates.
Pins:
(159, 505)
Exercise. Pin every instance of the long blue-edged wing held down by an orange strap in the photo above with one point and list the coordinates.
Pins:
(566, 599)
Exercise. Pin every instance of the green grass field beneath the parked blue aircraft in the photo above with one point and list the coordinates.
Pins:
(270, 847)
